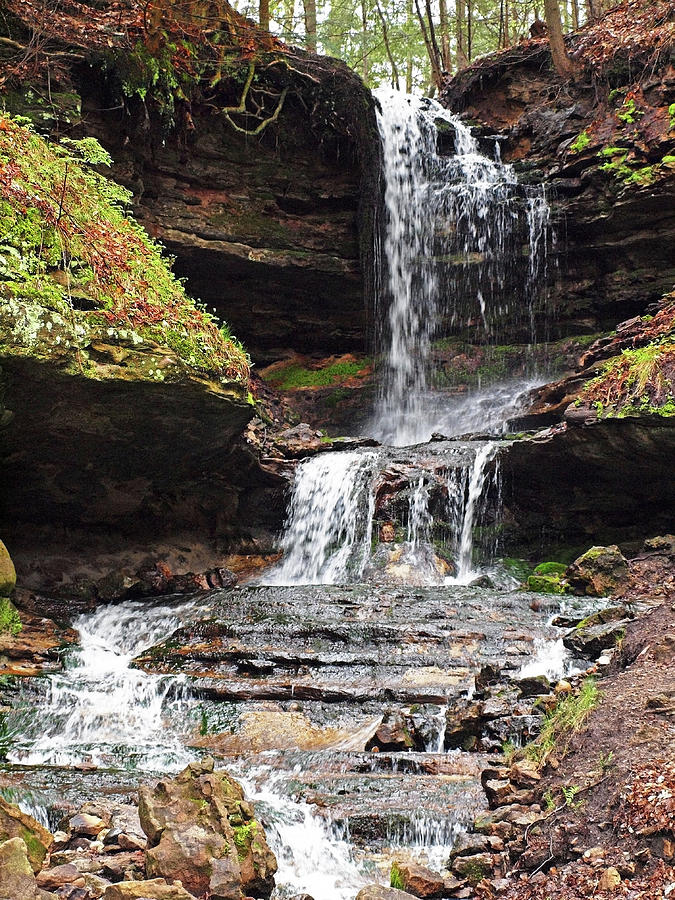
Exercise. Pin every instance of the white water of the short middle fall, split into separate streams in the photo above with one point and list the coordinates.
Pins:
(329, 531)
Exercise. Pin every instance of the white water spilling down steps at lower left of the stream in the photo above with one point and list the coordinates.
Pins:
(100, 712)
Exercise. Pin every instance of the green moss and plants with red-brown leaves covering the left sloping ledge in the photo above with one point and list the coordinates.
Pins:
(64, 233)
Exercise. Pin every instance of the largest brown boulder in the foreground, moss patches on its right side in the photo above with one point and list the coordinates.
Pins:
(201, 830)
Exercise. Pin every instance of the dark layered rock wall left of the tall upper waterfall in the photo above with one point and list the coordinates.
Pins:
(271, 231)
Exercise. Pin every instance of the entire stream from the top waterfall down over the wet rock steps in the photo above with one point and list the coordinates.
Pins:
(384, 604)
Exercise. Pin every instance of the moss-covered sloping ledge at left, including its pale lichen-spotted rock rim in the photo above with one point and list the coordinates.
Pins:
(77, 275)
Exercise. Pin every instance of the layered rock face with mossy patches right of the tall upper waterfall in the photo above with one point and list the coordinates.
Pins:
(604, 143)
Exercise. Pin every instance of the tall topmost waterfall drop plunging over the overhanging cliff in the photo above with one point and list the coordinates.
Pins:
(452, 228)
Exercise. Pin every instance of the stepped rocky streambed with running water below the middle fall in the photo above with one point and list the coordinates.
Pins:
(357, 718)
